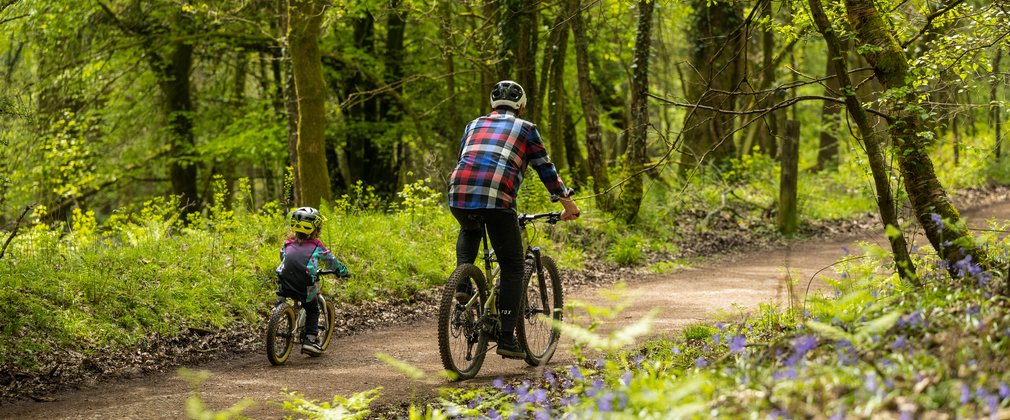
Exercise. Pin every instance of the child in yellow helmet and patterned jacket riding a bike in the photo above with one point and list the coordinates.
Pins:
(298, 274)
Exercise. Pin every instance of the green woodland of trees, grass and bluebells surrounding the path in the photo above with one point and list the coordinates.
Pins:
(187, 131)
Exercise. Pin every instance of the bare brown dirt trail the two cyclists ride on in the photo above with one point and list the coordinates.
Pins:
(685, 297)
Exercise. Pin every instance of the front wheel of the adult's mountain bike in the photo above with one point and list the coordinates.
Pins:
(542, 303)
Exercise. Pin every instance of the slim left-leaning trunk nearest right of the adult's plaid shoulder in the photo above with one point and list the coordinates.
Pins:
(594, 139)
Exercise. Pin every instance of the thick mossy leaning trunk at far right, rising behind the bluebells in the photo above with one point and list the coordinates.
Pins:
(938, 217)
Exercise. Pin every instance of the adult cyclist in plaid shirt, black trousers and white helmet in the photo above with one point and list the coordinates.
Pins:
(494, 154)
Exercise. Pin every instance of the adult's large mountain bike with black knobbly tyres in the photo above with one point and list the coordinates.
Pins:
(467, 326)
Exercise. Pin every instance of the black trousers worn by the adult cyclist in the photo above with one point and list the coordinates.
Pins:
(507, 241)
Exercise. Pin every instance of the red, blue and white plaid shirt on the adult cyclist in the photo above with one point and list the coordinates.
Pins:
(494, 154)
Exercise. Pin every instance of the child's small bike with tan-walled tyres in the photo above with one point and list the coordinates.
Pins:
(287, 326)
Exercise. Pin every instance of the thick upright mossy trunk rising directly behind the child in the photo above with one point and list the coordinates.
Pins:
(306, 18)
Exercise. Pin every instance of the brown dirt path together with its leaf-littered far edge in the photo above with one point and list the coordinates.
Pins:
(738, 275)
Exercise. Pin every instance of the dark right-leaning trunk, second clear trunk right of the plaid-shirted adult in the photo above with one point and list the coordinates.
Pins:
(632, 192)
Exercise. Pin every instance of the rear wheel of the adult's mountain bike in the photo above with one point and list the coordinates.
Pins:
(463, 342)
